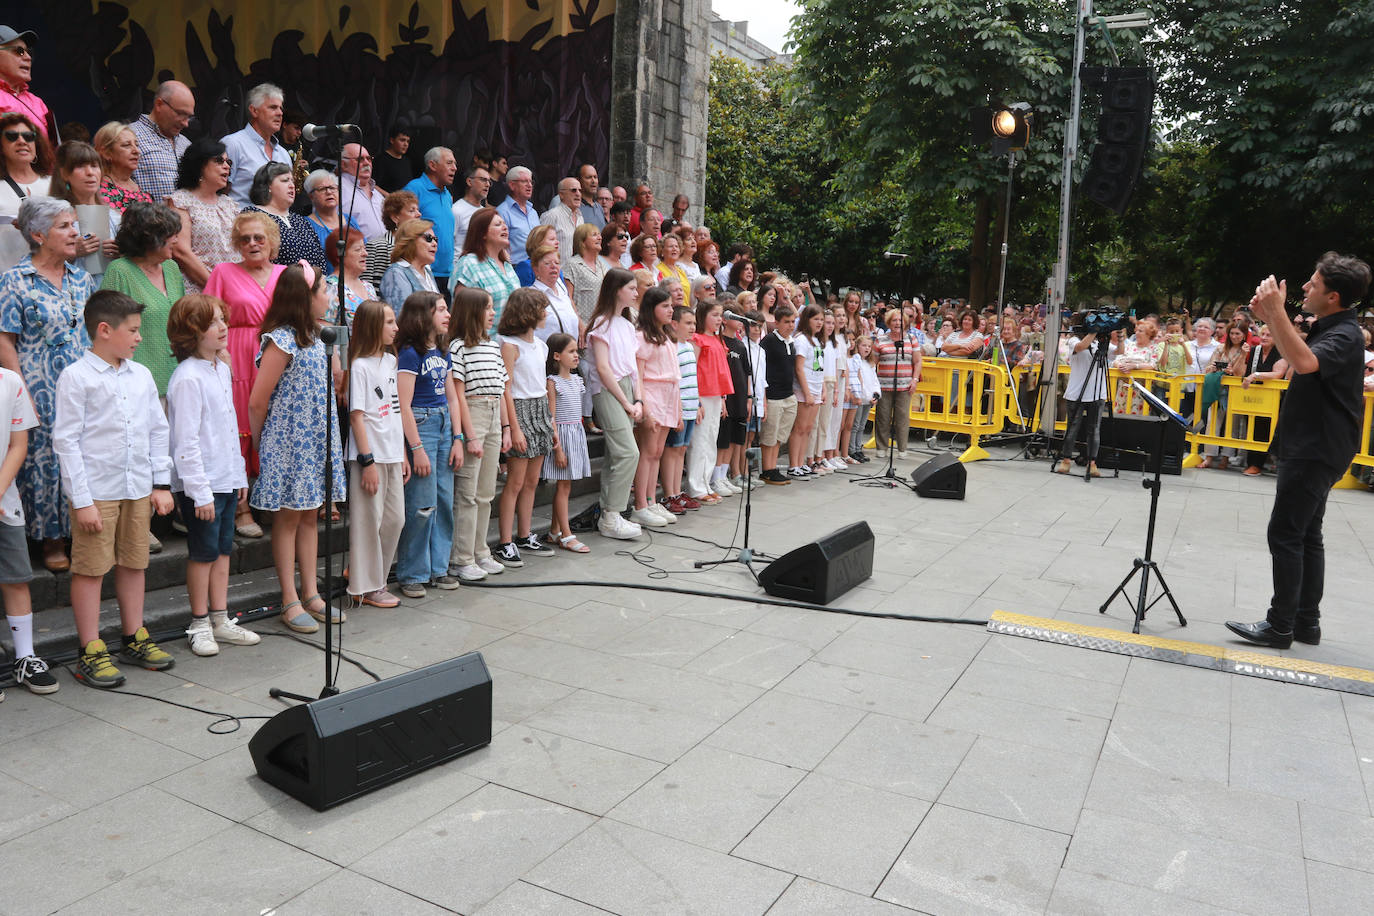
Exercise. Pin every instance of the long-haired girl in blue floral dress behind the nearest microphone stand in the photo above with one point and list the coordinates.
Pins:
(288, 413)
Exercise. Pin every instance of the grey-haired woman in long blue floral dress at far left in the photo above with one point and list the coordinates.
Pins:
(42, 333)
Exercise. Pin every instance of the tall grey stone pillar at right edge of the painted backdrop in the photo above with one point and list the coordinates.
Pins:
(660, 68)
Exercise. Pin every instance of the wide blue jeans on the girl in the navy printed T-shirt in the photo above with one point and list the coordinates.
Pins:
(428, 536)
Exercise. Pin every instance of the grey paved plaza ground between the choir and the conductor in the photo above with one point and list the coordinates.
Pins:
(660, 753)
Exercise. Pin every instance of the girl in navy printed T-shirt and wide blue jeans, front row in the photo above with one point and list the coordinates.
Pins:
(431, 411)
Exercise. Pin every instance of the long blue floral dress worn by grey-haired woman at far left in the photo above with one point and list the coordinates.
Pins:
(50, 337)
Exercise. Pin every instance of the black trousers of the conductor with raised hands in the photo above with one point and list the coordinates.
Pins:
(1296, 545)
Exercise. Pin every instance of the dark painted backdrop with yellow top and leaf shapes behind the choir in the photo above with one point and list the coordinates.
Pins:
(531, 79)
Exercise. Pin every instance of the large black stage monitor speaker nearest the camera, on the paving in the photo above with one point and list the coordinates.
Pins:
(344, 746)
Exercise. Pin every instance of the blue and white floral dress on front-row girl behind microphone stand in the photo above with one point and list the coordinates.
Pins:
(292, 447)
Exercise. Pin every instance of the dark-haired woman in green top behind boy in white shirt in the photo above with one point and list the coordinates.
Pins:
(149, 275)
